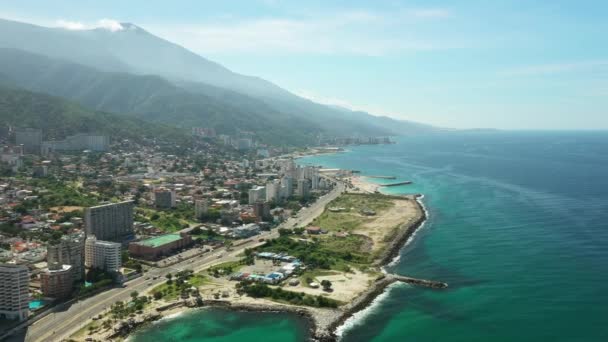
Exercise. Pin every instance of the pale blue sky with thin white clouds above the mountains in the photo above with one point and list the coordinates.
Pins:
(512, 64)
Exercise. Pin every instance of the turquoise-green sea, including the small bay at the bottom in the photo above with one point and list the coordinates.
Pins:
(518, 227)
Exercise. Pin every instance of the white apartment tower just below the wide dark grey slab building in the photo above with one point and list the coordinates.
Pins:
(103, 255)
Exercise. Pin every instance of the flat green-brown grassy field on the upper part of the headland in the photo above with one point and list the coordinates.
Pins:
(350, 218)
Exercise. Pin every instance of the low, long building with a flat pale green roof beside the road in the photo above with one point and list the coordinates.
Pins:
(156, 247)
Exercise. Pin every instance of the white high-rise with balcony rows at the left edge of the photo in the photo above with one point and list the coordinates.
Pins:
(14, 296)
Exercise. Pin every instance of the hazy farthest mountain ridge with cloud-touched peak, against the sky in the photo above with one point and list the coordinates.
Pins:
(135, 50)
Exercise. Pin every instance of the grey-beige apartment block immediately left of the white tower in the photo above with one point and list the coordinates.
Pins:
(69, 251)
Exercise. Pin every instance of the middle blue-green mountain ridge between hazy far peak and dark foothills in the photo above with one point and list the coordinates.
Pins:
(154, 99)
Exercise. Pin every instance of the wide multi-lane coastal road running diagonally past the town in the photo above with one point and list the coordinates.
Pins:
(62, 324)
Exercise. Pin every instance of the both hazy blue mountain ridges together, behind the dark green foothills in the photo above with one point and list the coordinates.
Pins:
(133, 72)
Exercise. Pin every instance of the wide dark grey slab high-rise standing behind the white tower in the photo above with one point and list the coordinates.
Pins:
(111, 222)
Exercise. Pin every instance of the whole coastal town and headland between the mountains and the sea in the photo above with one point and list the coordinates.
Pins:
(100, 236)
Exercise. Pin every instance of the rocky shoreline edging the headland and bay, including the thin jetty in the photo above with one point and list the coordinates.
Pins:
(325, 323)
